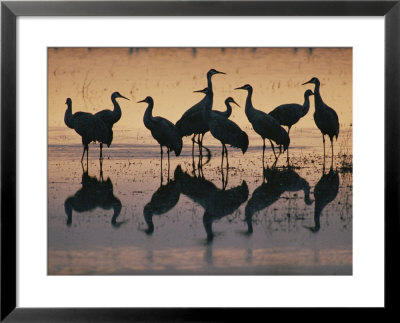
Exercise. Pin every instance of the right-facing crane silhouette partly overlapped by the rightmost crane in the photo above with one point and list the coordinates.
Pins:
(290, 114)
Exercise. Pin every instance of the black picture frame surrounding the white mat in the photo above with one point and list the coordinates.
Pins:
(10, 10)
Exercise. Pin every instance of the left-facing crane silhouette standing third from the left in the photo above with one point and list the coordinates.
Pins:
(162, 130)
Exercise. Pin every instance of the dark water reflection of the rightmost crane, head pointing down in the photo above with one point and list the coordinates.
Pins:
(325, 192)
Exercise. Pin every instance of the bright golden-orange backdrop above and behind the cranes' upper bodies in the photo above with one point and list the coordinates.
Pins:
(170, 75)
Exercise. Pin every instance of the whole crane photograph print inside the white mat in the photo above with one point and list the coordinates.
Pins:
(200, 161)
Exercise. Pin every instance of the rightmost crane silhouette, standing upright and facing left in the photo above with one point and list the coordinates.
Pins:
(325, 117)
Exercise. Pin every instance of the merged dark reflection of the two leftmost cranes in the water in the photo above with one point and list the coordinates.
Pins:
(94, 193)
